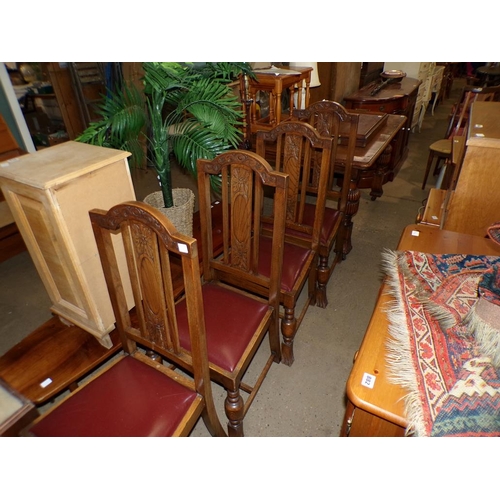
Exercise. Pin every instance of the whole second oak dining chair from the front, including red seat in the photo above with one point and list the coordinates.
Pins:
(241, 283)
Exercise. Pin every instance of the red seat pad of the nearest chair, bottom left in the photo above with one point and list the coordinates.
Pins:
(126, 400)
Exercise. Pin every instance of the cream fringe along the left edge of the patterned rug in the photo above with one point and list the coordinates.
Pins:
(399, 356)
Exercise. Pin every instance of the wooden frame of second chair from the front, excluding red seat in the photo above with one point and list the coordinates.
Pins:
(244, 178)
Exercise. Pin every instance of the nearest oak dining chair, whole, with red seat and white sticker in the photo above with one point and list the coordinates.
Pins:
(135, 395)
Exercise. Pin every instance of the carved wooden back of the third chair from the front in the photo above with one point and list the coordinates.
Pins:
(297, 149)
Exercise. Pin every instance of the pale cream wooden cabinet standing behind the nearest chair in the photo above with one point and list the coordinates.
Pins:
(50, 193)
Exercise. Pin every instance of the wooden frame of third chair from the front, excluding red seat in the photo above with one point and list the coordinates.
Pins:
(298, 150)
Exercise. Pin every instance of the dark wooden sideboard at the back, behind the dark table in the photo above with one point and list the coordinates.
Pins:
(397, 98)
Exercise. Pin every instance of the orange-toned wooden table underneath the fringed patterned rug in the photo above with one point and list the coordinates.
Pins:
(379, 411)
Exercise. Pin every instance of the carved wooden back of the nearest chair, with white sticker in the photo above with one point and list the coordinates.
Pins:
(151, 243)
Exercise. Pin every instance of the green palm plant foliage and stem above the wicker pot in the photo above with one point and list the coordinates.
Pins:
(191, 112)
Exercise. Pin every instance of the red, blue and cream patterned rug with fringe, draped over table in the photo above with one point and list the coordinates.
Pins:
(453, 389)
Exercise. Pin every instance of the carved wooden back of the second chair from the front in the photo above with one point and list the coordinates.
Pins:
(250, 192)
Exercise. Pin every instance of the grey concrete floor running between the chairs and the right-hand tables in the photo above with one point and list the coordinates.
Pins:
(307, 399)
